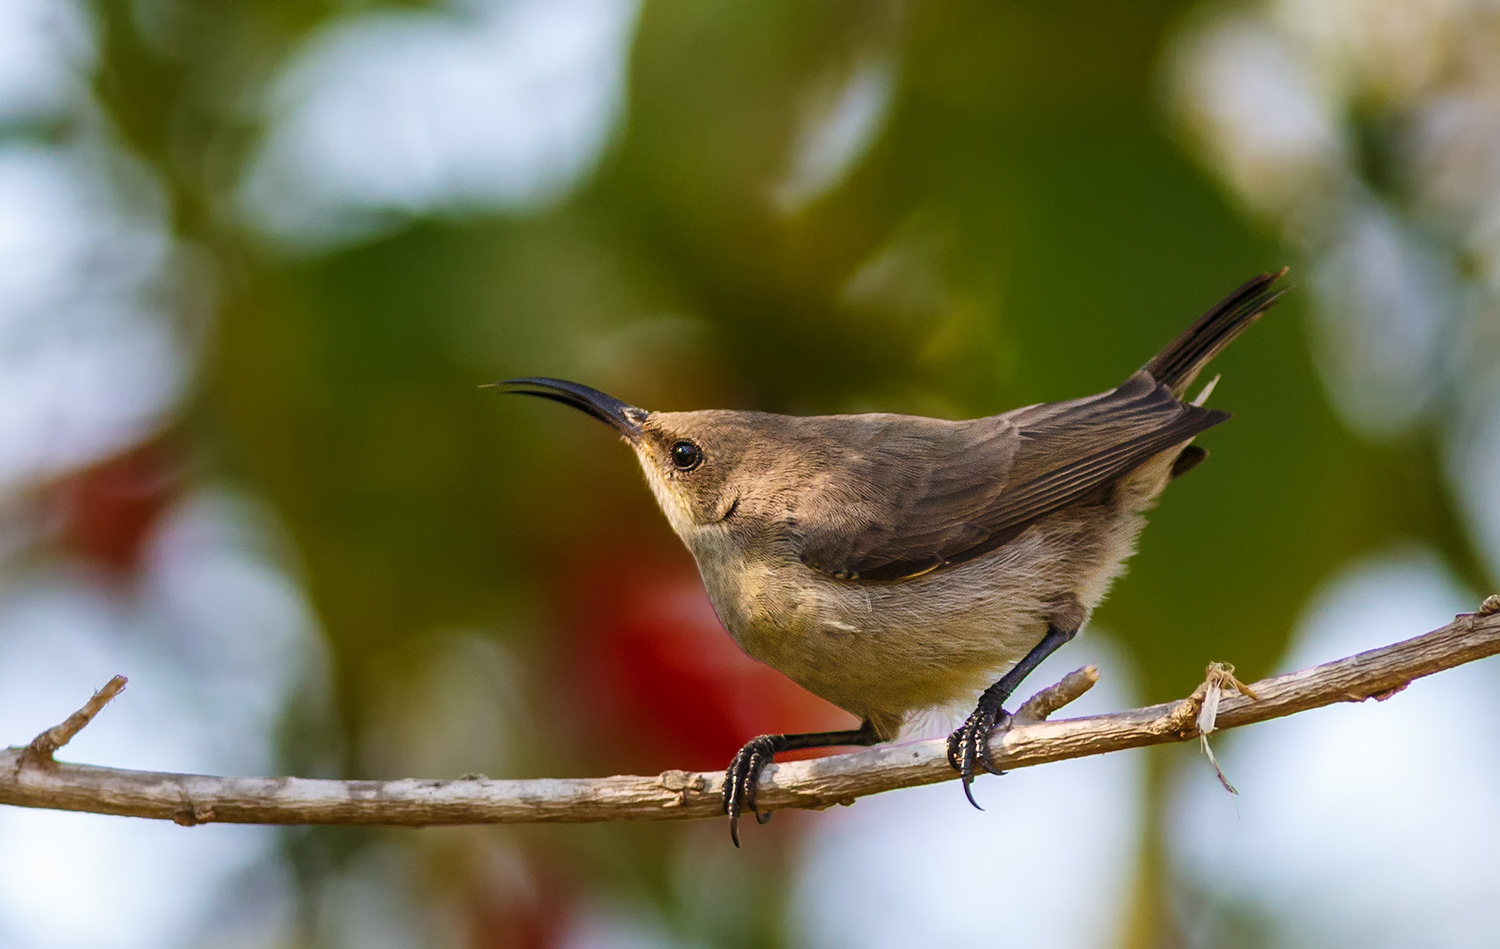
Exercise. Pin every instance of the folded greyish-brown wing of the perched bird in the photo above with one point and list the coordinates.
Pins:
(907, 497)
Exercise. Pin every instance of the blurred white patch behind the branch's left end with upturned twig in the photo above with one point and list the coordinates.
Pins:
(148, 884)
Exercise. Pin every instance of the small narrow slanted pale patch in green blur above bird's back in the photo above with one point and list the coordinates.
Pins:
(838, 128)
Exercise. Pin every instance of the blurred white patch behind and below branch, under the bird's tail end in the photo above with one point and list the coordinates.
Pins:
(1054, 855)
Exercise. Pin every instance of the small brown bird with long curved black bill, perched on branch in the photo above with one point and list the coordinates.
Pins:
(895, 564)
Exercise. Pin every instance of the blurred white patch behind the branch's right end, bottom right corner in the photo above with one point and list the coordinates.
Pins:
(1358, 825)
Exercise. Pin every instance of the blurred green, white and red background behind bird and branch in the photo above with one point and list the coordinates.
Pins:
(256, 260)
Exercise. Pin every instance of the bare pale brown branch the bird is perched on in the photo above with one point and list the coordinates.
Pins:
(29, 779)
